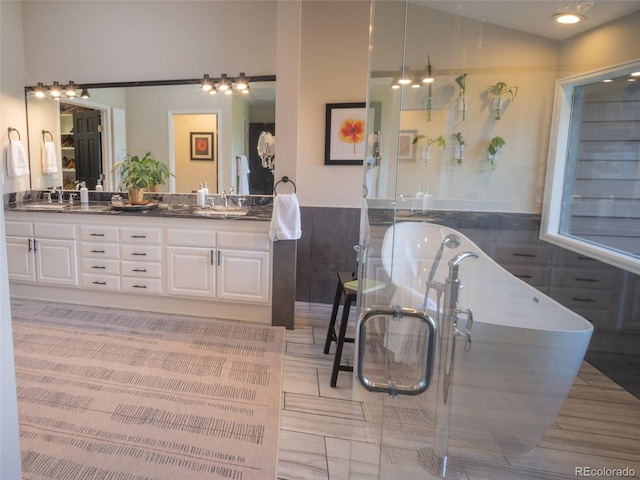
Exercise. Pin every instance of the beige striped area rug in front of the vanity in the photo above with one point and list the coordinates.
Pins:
(119, 396)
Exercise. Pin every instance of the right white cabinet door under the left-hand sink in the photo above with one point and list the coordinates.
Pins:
(56, 262)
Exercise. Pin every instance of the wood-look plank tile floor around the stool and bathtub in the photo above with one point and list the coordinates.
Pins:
(598, 426)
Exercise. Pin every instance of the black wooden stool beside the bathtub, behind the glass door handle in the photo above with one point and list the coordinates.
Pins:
(350, 296)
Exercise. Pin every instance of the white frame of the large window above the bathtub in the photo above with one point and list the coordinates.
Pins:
(556, 175)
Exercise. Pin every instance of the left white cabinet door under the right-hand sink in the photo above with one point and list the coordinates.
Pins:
(190, 272)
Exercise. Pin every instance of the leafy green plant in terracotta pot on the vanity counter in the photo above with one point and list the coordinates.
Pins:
(140, 174)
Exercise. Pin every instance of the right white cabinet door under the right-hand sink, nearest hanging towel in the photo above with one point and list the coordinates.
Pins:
(243, 276)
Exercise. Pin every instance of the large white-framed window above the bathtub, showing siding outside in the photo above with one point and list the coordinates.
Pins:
(592, 196)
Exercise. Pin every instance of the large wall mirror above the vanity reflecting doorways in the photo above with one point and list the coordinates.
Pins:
(90, 135)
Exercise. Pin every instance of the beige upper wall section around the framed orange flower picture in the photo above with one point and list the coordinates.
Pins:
(333, 69)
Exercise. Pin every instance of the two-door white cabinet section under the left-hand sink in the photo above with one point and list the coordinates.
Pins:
(42, 253)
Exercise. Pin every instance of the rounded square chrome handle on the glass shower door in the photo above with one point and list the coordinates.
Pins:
(389, 387)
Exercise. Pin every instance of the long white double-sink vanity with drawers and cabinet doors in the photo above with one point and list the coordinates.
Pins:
(218, 266)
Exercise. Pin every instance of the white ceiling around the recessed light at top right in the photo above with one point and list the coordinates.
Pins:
(534, 16)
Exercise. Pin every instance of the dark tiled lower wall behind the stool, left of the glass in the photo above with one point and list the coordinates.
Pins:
(326, 247)
